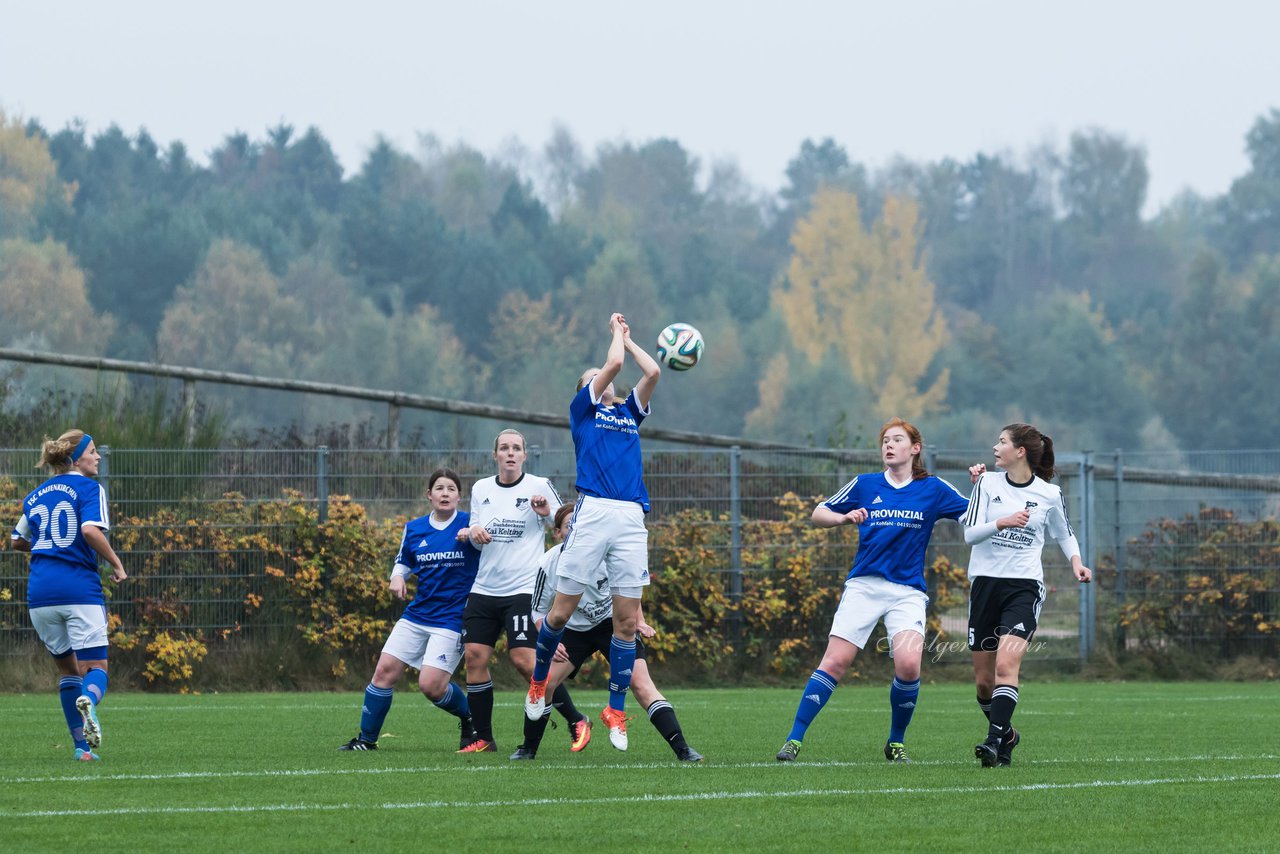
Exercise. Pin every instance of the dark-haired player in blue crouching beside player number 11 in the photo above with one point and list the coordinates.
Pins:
(437, 551)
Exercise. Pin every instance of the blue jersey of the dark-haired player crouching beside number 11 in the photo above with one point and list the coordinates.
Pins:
(445, 569)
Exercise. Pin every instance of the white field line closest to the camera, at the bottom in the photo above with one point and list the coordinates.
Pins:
(641, 800)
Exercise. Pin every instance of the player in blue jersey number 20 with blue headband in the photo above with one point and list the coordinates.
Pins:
(65, 524)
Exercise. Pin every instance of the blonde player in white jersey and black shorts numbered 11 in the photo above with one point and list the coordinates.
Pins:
(515, 509)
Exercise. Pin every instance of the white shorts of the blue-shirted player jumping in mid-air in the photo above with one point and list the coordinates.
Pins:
(611, 533)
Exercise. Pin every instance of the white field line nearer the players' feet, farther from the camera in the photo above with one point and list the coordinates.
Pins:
(551, 766)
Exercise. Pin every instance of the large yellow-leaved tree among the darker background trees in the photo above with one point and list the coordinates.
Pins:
(866, 296)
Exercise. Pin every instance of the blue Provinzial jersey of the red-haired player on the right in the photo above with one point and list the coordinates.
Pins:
(893, 541)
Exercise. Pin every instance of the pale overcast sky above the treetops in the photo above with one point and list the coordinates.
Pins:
(729, 80)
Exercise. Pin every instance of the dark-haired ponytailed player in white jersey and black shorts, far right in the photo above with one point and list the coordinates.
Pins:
(1011, 517)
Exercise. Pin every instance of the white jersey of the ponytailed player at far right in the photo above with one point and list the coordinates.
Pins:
(1016, 552)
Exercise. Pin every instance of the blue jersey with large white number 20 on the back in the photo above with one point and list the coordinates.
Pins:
(63, 565)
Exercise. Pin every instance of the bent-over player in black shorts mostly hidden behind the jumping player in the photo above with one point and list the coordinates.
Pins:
(591, 631)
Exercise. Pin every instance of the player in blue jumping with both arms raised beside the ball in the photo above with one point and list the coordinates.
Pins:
(609, 523)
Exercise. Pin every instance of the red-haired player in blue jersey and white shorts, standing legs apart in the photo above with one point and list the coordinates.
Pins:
(895, 512)
